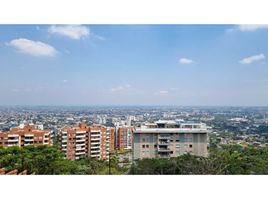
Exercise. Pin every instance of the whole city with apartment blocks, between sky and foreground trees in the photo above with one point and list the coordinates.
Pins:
(101, 132)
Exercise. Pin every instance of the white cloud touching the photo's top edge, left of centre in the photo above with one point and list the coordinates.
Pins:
(75, 32)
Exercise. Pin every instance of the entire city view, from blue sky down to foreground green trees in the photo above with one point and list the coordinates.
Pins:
(133, 100)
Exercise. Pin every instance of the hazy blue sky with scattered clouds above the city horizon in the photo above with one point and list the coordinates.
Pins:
(186, 65)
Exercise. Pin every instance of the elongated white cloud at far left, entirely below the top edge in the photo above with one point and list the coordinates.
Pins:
(34, 48)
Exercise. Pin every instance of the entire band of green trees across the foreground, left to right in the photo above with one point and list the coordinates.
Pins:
(49, 160)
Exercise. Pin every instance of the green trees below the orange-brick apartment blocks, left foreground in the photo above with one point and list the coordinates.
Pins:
(50, 160)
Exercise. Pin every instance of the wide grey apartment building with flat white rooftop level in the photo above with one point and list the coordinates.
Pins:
(164, 139)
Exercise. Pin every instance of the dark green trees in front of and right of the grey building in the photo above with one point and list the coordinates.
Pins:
(226, 160)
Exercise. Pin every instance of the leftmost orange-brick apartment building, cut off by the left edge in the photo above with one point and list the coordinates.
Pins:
(25, 134)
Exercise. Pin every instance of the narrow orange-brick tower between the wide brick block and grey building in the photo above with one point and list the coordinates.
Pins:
(124, 137)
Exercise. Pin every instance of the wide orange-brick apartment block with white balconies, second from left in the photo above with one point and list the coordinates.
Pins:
(87, 141)
